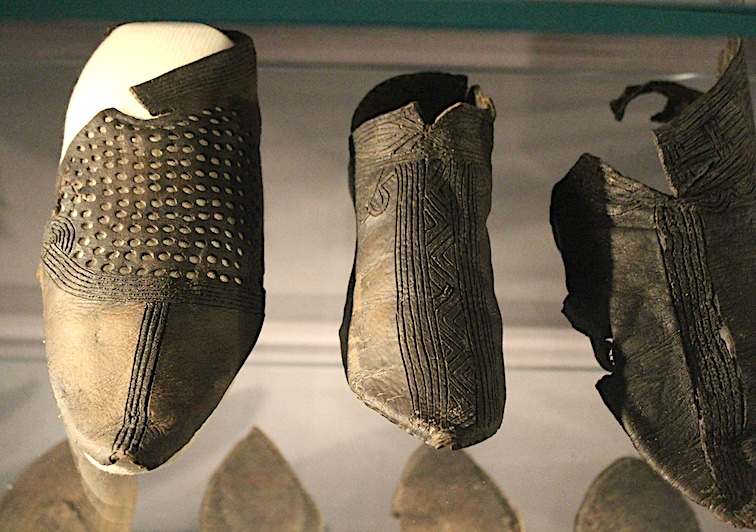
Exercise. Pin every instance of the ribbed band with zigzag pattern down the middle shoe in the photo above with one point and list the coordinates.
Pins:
(445, 332)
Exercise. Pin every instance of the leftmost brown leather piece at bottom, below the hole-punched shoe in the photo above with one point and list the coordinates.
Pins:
(49, 495)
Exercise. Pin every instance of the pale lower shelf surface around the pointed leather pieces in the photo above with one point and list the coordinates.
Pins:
(556, 438)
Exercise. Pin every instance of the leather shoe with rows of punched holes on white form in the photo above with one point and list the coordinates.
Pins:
(152, 264)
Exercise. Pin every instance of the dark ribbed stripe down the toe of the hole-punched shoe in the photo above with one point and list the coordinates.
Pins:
(136, 416)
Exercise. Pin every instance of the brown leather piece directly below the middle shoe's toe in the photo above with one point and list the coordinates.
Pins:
(443, 489)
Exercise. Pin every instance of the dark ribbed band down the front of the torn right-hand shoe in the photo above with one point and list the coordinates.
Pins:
(717, 387)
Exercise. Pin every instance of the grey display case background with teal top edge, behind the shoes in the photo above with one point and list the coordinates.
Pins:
(551, 69)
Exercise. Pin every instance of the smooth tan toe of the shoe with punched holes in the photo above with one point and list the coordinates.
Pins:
(135, 381)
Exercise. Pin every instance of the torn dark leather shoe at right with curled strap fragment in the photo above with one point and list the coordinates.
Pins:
(665, 285)
